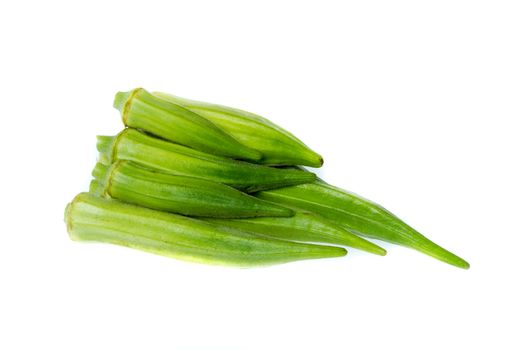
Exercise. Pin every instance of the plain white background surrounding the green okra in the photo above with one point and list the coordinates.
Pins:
(418, 105)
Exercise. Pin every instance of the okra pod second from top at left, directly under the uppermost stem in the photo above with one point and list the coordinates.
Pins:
(168, 157)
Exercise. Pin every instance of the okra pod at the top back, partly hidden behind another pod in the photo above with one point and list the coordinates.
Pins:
(278, 146)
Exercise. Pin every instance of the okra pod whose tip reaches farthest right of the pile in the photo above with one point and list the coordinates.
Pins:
(358, 215)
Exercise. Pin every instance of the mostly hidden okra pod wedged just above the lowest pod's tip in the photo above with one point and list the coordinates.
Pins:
(302, 227)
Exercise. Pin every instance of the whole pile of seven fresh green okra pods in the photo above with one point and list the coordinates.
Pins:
(214, 184)
